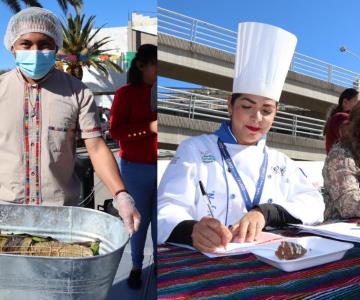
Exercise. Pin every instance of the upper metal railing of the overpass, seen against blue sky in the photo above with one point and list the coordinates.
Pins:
(201, 32)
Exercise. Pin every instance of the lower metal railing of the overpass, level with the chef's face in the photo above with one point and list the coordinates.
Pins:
(204, 107)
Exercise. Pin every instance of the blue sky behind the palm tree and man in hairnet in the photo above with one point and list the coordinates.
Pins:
(113, 13)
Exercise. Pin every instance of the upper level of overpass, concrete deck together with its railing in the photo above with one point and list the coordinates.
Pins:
(195, 51)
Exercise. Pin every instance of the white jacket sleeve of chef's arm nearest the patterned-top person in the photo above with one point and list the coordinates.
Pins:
(303, 201)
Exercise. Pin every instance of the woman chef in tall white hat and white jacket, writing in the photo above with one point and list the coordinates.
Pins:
(227, 186)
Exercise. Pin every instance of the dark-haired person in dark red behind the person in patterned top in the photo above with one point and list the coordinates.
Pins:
(338, 116)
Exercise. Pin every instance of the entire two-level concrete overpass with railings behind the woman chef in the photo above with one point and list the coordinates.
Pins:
(196, 51)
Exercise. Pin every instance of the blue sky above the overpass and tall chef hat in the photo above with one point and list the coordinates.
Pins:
(322, 26)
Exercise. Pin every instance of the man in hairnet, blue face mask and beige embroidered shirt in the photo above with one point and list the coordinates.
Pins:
(41, 108)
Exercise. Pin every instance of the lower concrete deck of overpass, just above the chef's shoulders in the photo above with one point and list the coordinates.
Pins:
(174, 129)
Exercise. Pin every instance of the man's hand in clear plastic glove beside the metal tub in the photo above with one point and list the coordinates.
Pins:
(125, 204)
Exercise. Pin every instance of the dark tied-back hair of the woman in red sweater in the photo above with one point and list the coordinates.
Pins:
(146, 54)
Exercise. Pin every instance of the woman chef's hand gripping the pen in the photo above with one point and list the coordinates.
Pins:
(209, 234)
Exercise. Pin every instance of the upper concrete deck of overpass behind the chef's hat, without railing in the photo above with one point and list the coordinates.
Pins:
(192, 62)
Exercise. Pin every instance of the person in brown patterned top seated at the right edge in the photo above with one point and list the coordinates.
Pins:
(341, 172)
